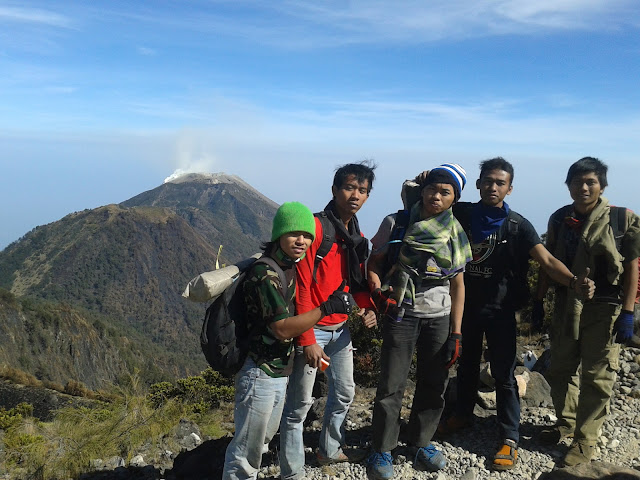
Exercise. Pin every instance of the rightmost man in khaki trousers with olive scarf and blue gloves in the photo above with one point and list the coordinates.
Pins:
(589, 334)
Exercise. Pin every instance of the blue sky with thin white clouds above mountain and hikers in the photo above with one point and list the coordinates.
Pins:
(102, 100)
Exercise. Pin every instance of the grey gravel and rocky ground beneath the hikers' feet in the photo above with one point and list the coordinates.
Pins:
(469, 453)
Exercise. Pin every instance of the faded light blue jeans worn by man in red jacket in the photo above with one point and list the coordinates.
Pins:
(337, 345)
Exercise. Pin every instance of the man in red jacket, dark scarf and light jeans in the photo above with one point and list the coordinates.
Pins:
(329, 341)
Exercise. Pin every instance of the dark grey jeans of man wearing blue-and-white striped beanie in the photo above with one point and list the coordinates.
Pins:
(399, 340)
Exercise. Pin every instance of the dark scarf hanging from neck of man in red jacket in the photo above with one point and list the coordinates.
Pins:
(355, 244)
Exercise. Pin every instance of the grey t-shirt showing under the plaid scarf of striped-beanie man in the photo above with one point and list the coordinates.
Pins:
(431, 301)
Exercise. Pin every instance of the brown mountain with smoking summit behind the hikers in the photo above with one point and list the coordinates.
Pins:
(131, 261)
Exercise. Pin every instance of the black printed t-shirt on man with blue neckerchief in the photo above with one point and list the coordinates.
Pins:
(496, 277)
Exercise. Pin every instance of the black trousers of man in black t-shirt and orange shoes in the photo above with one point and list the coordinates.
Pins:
(499, 325)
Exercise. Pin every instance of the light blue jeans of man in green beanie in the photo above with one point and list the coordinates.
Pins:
(258, 407)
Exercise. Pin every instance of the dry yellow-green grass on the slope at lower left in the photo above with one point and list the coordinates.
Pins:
(66, 446)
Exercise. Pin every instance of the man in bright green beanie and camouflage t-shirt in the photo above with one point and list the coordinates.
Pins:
(261, 384)
